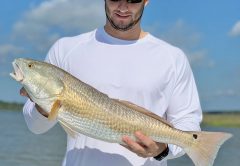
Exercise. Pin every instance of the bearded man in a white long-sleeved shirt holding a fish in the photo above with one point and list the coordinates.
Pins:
(124, 62)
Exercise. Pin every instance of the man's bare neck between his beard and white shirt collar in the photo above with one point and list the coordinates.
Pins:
(132, 34)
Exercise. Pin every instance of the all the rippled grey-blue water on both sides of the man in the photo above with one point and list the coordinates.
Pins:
(19, 147)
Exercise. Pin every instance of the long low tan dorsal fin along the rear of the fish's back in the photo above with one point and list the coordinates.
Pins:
(143, 111)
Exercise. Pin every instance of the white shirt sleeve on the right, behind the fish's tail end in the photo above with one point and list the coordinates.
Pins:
(184, 110)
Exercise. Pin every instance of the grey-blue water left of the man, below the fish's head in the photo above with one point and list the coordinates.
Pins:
(20, 147)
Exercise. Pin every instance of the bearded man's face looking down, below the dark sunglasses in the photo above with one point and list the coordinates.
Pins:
(123, 15)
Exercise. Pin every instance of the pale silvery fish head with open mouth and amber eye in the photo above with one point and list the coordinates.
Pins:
(42, 81)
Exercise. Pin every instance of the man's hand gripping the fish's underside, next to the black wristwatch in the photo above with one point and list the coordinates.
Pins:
(144, 146)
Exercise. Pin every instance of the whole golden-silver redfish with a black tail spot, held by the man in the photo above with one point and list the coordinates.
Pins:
(80, 108)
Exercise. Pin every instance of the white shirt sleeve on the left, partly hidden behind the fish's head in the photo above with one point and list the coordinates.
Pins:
(35, 121)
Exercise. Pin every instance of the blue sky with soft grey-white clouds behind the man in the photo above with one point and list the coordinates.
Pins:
(207, 31)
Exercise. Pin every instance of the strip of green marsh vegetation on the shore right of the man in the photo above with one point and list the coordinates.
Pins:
(222, 119)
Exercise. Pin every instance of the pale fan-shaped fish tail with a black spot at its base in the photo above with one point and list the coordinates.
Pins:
(205, 148)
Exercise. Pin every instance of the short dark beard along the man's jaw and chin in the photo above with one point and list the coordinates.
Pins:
(122, 27)
